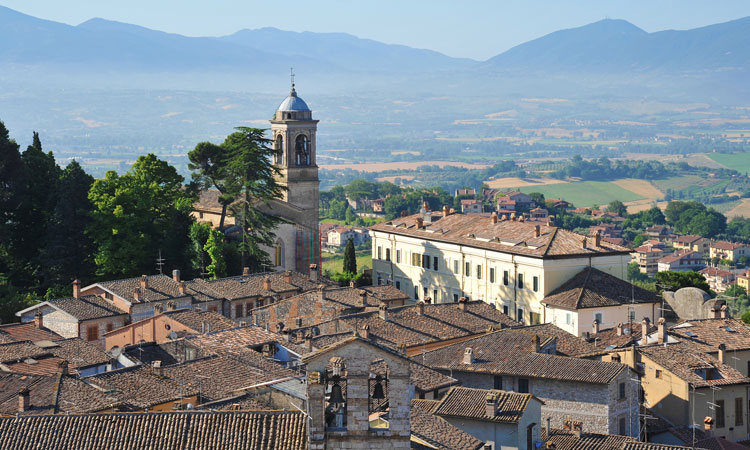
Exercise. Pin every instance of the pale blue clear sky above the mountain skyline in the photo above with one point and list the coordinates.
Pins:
(476, 28)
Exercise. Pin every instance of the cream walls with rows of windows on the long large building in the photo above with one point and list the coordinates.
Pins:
(449, 284)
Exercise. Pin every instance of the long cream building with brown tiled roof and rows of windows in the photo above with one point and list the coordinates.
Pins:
(510, 264)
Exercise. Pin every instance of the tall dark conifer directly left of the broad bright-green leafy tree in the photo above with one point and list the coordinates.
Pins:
(68, 251)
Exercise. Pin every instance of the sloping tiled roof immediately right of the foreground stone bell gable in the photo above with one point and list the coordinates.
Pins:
(436, 432)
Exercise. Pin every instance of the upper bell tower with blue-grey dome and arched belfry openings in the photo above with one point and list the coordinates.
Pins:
(293, 132)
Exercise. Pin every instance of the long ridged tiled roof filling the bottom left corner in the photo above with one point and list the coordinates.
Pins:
(258, 430)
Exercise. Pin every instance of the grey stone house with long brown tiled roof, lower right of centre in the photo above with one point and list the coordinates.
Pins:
(600, 395)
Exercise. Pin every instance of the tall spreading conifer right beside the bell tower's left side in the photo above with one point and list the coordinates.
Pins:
(253, 179)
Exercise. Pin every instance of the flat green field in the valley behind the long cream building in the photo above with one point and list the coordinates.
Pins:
(585, 193)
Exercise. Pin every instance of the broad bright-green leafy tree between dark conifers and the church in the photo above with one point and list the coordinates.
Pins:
(133, 218)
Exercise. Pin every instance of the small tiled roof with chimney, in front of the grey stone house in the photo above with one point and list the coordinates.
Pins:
(467, 403)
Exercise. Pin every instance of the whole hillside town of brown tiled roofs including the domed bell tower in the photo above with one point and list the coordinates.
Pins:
(489, 326)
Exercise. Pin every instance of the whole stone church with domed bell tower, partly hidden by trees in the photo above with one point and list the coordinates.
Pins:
(297, 238)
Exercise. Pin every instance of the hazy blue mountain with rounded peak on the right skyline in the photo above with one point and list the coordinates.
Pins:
(617, 45)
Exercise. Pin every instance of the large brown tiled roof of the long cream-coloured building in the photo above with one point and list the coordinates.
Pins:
(506, 236)
